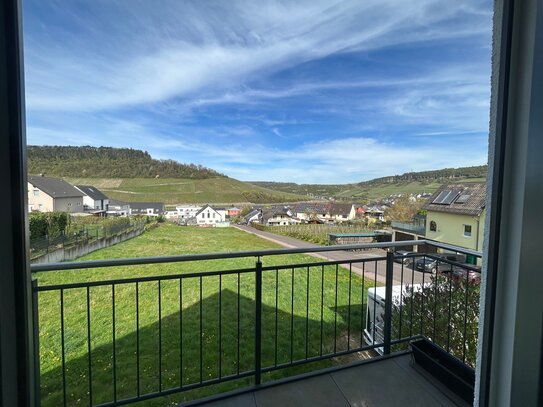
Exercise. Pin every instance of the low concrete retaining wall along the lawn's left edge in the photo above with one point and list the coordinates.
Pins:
(73, 252)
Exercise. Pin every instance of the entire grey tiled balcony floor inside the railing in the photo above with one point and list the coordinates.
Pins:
(389, 382)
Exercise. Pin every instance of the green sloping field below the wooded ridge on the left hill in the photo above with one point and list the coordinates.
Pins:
(176, 190)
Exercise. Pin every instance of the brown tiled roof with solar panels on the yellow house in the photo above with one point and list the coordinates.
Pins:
(473, 201)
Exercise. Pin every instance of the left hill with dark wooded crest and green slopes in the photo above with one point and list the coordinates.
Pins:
(133, 175)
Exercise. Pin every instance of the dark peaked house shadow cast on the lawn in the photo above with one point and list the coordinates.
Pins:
(205, 341)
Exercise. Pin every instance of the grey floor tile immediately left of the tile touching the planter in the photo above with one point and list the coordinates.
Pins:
(314, 392)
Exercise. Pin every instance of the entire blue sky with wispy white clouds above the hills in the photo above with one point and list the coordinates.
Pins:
(293, 91)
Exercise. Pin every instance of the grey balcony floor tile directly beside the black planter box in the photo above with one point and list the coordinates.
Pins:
(384, 383)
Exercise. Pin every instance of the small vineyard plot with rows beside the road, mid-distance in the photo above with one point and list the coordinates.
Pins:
(317, 234)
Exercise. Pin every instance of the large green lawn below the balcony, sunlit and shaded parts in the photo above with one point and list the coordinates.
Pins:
(173, 323)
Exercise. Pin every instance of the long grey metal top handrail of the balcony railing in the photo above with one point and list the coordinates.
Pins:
(42, 267)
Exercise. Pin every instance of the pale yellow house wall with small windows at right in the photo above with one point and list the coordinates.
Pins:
(450, 229)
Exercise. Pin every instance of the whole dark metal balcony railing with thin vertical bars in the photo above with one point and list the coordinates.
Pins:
(116, 341)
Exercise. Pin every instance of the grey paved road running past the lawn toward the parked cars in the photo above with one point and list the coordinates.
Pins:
(409, 276)
